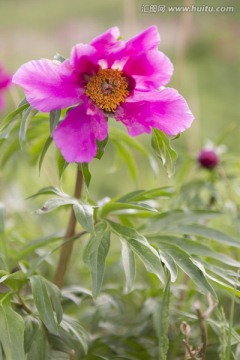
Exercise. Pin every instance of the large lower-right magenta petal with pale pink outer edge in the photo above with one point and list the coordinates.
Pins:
(165, 110)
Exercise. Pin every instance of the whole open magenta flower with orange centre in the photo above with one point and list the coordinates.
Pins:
(107, 78)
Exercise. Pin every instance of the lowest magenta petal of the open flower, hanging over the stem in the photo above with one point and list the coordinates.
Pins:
(76, 135)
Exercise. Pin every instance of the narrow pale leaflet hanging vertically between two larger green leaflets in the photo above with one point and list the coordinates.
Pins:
(128, 262)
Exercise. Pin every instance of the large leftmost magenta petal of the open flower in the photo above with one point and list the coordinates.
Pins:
(48, 85)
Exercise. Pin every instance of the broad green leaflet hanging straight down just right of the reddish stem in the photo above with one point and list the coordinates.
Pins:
(95, 255)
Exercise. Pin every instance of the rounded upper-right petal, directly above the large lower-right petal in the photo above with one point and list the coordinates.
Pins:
(149, 70)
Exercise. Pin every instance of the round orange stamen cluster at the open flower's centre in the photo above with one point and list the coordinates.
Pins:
(108, 88)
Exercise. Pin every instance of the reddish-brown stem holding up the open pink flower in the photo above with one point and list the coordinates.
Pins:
(67, 246)
